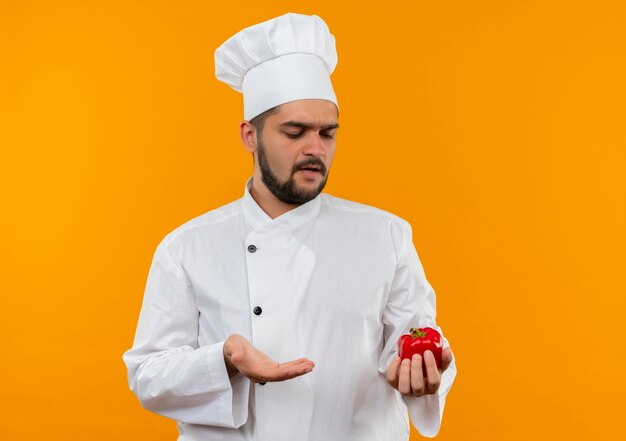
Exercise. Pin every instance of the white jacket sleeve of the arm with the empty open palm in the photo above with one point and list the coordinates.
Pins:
(167, 369)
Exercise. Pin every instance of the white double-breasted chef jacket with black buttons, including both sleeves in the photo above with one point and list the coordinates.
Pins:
(335, 281)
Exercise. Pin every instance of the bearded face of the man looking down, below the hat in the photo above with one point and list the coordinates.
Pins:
(296, 149)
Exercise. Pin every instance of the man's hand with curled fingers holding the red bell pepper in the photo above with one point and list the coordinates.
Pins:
(407, 376)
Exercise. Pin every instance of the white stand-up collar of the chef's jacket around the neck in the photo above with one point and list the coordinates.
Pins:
(257, 219)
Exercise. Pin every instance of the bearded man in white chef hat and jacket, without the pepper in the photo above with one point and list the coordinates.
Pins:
(276, 317)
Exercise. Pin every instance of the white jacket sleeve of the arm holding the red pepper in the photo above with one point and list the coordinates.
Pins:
(411, 303)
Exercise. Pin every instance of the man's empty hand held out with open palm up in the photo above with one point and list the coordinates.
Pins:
(241, 356)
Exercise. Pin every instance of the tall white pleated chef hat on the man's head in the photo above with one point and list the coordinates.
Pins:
(283, 59)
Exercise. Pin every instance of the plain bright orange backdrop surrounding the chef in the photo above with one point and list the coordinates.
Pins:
(496, 128)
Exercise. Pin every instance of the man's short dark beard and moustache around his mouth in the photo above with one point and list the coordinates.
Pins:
(288, 192)
